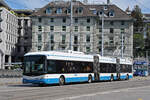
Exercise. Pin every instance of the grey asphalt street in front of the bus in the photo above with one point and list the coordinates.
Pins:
(134, 89)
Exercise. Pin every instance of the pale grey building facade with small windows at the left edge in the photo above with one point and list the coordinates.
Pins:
(8, 36)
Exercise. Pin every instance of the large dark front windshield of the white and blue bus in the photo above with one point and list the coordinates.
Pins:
(34, 65)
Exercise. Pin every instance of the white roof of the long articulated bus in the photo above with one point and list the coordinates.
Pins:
(76, 56)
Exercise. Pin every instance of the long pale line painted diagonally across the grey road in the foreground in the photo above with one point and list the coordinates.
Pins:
(101, 93)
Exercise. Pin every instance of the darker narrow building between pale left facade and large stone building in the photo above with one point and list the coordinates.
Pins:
(24, 33)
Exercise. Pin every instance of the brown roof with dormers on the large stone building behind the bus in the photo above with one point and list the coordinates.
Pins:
(87, 10)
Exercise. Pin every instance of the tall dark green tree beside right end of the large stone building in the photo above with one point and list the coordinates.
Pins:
(138, 35)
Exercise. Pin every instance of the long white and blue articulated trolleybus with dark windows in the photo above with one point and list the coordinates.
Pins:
(53, 67)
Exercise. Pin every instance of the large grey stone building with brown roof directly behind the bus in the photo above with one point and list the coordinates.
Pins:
(51, 28)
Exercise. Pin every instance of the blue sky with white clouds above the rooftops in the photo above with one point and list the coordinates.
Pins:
(123, 4)
